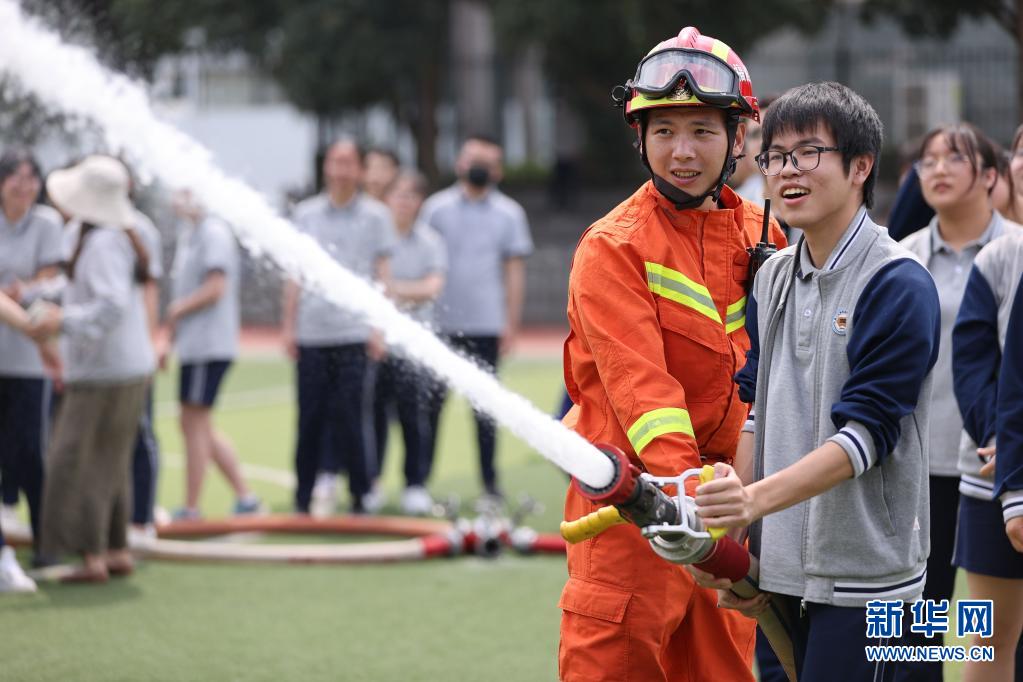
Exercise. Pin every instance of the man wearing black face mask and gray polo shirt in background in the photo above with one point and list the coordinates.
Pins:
(487, 239)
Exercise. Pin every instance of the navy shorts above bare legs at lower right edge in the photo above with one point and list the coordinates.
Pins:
(982, 544)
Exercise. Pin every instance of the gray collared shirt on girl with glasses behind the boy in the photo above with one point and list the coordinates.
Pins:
(951, 271)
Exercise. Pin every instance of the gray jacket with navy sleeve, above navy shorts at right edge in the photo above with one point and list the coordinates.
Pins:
(978, 344)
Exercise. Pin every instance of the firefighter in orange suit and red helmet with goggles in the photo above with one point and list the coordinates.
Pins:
(657, 311)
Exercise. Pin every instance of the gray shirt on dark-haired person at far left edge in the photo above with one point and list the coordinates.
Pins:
(31, 244)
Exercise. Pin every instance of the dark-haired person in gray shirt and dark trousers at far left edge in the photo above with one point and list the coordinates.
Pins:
(30, 256)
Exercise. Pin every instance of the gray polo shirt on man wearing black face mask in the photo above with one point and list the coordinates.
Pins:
(480, 236)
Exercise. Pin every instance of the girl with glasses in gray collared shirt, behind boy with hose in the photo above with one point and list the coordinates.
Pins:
(958, 170)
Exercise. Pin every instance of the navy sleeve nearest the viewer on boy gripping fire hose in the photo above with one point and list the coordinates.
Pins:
(897, 329)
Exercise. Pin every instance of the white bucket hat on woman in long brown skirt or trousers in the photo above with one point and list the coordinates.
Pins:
(94, 192)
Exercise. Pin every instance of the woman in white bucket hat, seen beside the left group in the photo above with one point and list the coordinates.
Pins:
(108, 360)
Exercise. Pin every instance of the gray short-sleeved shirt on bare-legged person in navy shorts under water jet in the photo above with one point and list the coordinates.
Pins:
(212, 333)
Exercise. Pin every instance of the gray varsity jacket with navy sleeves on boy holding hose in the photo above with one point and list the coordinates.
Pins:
(856, 373)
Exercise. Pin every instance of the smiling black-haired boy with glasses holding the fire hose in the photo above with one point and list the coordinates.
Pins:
(844, 332)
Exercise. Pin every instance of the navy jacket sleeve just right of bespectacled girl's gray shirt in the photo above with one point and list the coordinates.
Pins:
(976, 358)
